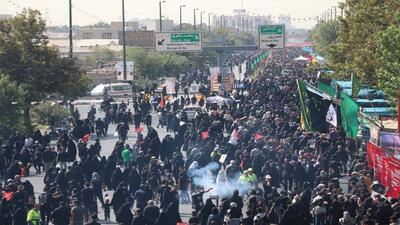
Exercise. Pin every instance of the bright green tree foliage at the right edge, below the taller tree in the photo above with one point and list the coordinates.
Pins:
(388, 58)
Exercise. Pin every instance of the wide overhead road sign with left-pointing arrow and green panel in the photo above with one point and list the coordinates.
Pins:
(179, 42)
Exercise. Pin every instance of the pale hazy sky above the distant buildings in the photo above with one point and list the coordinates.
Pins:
(91, 11)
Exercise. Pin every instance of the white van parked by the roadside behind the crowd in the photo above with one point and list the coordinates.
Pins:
(115, 89)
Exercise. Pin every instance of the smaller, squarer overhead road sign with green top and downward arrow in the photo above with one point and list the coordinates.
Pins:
(271, 36)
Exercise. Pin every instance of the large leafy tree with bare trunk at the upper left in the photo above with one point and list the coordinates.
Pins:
(33, 65)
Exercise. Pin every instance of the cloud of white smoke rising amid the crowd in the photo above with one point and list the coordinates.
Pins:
(204, 178)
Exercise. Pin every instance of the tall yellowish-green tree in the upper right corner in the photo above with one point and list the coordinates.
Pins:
(357, 37)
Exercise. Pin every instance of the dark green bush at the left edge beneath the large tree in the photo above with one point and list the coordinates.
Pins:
(10, 96)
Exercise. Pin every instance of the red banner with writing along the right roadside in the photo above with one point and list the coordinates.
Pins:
(386, 169)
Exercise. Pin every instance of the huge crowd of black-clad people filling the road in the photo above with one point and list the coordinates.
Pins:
(252, 156)
